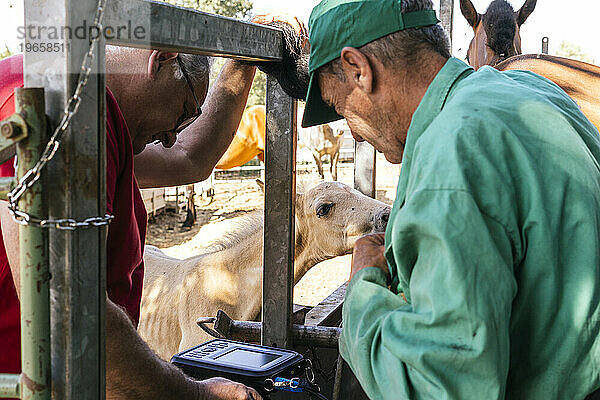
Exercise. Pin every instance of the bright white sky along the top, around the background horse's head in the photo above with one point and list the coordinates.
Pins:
(575, 21)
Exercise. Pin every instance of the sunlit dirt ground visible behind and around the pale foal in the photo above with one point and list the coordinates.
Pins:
(236, 197)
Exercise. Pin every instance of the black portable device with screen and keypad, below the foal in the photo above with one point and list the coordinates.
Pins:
(265, 369)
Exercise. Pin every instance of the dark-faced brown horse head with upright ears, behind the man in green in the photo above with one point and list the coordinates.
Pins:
(496, 32)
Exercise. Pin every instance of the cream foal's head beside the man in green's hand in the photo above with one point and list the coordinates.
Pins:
(329, 219)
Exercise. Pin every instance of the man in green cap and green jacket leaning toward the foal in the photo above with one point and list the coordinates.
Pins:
(487, 284)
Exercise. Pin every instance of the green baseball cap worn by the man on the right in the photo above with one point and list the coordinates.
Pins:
(335, 24)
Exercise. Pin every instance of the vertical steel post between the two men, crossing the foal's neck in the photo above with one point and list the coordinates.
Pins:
(279, 231)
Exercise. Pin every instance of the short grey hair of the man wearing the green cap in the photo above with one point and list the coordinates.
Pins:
(404, 47)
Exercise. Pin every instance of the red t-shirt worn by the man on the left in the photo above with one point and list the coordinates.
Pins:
(126, 232)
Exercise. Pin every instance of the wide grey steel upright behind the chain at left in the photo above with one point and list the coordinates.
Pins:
(77, 190)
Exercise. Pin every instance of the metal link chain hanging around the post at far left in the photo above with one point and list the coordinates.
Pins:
(33, 175)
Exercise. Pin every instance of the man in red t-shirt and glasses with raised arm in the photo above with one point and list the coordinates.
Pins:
(152, 98)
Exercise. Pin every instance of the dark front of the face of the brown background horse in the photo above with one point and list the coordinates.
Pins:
(499, 23)
